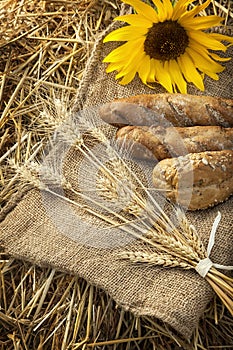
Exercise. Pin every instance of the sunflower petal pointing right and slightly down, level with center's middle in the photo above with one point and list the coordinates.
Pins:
(206, 40)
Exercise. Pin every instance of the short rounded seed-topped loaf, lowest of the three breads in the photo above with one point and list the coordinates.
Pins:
(197, 180)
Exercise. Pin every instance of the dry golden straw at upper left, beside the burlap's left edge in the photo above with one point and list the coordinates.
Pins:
(44, 46)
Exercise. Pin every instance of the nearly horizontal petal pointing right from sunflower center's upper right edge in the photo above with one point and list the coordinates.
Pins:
(200, 22)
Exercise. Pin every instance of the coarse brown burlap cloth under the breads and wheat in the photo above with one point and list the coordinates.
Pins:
(178, 297)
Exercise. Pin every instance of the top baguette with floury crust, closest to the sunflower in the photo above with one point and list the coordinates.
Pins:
(164, 109)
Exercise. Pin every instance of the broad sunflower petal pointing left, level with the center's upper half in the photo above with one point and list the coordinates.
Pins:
(127, 33)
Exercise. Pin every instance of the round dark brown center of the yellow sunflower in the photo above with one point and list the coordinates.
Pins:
(166, 40)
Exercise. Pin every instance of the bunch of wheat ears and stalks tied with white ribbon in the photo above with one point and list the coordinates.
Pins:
(141, 216)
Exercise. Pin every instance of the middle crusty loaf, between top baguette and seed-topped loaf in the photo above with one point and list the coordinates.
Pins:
(157, 143)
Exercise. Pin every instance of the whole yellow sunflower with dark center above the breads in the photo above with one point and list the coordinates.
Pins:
(166, 44)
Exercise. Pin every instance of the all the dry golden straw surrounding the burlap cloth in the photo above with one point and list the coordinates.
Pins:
(44, 47)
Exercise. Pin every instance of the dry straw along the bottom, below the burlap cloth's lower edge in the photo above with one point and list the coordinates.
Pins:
(53, 310)
